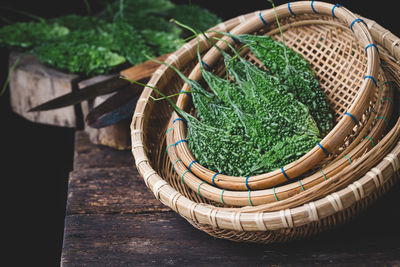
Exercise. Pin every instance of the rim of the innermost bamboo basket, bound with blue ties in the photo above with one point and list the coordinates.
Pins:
(329, 143)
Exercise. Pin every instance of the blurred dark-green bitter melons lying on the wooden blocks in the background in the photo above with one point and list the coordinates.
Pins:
(119, 36)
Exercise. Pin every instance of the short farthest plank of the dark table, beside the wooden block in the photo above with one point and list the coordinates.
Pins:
(88, 155)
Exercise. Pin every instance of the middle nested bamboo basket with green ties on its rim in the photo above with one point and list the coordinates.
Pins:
(372, 132)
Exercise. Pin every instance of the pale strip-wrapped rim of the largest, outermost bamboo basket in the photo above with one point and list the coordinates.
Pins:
(203, 213)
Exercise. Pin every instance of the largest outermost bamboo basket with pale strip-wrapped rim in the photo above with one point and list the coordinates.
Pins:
(326, 205)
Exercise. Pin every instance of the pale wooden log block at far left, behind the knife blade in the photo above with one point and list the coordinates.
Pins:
(33, 83)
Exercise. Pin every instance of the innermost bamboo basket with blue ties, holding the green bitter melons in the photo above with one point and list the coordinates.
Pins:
(339, 64)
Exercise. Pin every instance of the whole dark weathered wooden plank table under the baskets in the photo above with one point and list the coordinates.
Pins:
(113, 219)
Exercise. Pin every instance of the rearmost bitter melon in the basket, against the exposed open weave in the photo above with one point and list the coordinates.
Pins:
(294, 74)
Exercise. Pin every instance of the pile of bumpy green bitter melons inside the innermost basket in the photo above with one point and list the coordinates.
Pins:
(267, 125)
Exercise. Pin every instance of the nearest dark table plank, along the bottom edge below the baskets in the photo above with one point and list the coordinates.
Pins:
(153, 239)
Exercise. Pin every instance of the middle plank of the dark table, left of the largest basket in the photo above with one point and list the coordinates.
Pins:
(109, 191)
